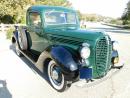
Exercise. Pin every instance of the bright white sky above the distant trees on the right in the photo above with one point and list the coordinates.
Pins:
(110, 8)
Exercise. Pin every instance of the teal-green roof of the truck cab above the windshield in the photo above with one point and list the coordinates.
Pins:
(42, 8)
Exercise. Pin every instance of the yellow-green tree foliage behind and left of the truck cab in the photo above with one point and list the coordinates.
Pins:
(14, 11)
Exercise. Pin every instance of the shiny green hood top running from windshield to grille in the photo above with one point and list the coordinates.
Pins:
(83, 34)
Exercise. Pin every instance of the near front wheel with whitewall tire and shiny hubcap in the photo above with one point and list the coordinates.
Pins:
(56, 77)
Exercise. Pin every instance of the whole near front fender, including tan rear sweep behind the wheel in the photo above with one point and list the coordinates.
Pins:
(64, 58)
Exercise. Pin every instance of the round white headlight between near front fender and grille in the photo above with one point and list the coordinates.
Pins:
(85, 52)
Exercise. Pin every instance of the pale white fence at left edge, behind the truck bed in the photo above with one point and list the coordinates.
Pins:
(5, 27)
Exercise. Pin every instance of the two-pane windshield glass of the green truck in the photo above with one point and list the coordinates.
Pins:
(55, 18)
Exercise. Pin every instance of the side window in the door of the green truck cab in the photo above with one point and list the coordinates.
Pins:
(35, 19)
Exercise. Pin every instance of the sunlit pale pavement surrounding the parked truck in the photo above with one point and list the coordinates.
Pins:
(19, 80)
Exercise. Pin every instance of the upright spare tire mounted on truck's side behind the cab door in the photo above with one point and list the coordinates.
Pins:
(22, 39)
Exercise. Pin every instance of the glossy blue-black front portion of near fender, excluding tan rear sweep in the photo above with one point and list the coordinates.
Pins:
(65, 60)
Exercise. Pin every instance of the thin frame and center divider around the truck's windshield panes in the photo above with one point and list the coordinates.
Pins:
(65, 23)
